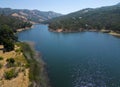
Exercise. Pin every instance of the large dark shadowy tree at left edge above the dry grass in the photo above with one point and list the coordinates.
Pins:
(7, 37)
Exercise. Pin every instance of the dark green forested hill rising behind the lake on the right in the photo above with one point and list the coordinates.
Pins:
(99, 18)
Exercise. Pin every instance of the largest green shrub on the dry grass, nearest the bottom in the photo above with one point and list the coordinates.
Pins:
(10, 74)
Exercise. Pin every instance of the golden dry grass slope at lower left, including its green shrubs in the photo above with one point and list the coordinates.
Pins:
(13, 73)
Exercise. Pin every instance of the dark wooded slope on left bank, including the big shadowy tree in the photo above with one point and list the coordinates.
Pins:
(8, 27)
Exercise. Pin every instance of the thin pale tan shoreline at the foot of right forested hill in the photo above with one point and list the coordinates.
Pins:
(111, 32)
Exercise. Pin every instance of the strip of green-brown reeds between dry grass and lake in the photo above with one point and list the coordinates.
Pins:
(38, 71)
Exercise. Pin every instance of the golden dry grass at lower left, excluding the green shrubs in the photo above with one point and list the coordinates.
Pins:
(22, 80)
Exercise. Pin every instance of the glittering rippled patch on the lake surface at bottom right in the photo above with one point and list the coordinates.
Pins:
(89, 74)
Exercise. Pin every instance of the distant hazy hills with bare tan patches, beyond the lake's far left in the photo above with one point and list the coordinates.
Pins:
(29, 15)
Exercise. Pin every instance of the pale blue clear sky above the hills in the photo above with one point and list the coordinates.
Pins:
(60, 6)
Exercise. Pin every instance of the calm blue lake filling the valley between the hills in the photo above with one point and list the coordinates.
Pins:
(83, 59)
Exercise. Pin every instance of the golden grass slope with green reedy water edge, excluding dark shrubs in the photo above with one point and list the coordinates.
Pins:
(34, 74)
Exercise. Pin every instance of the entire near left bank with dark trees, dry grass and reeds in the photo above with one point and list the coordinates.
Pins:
(19, 62)
